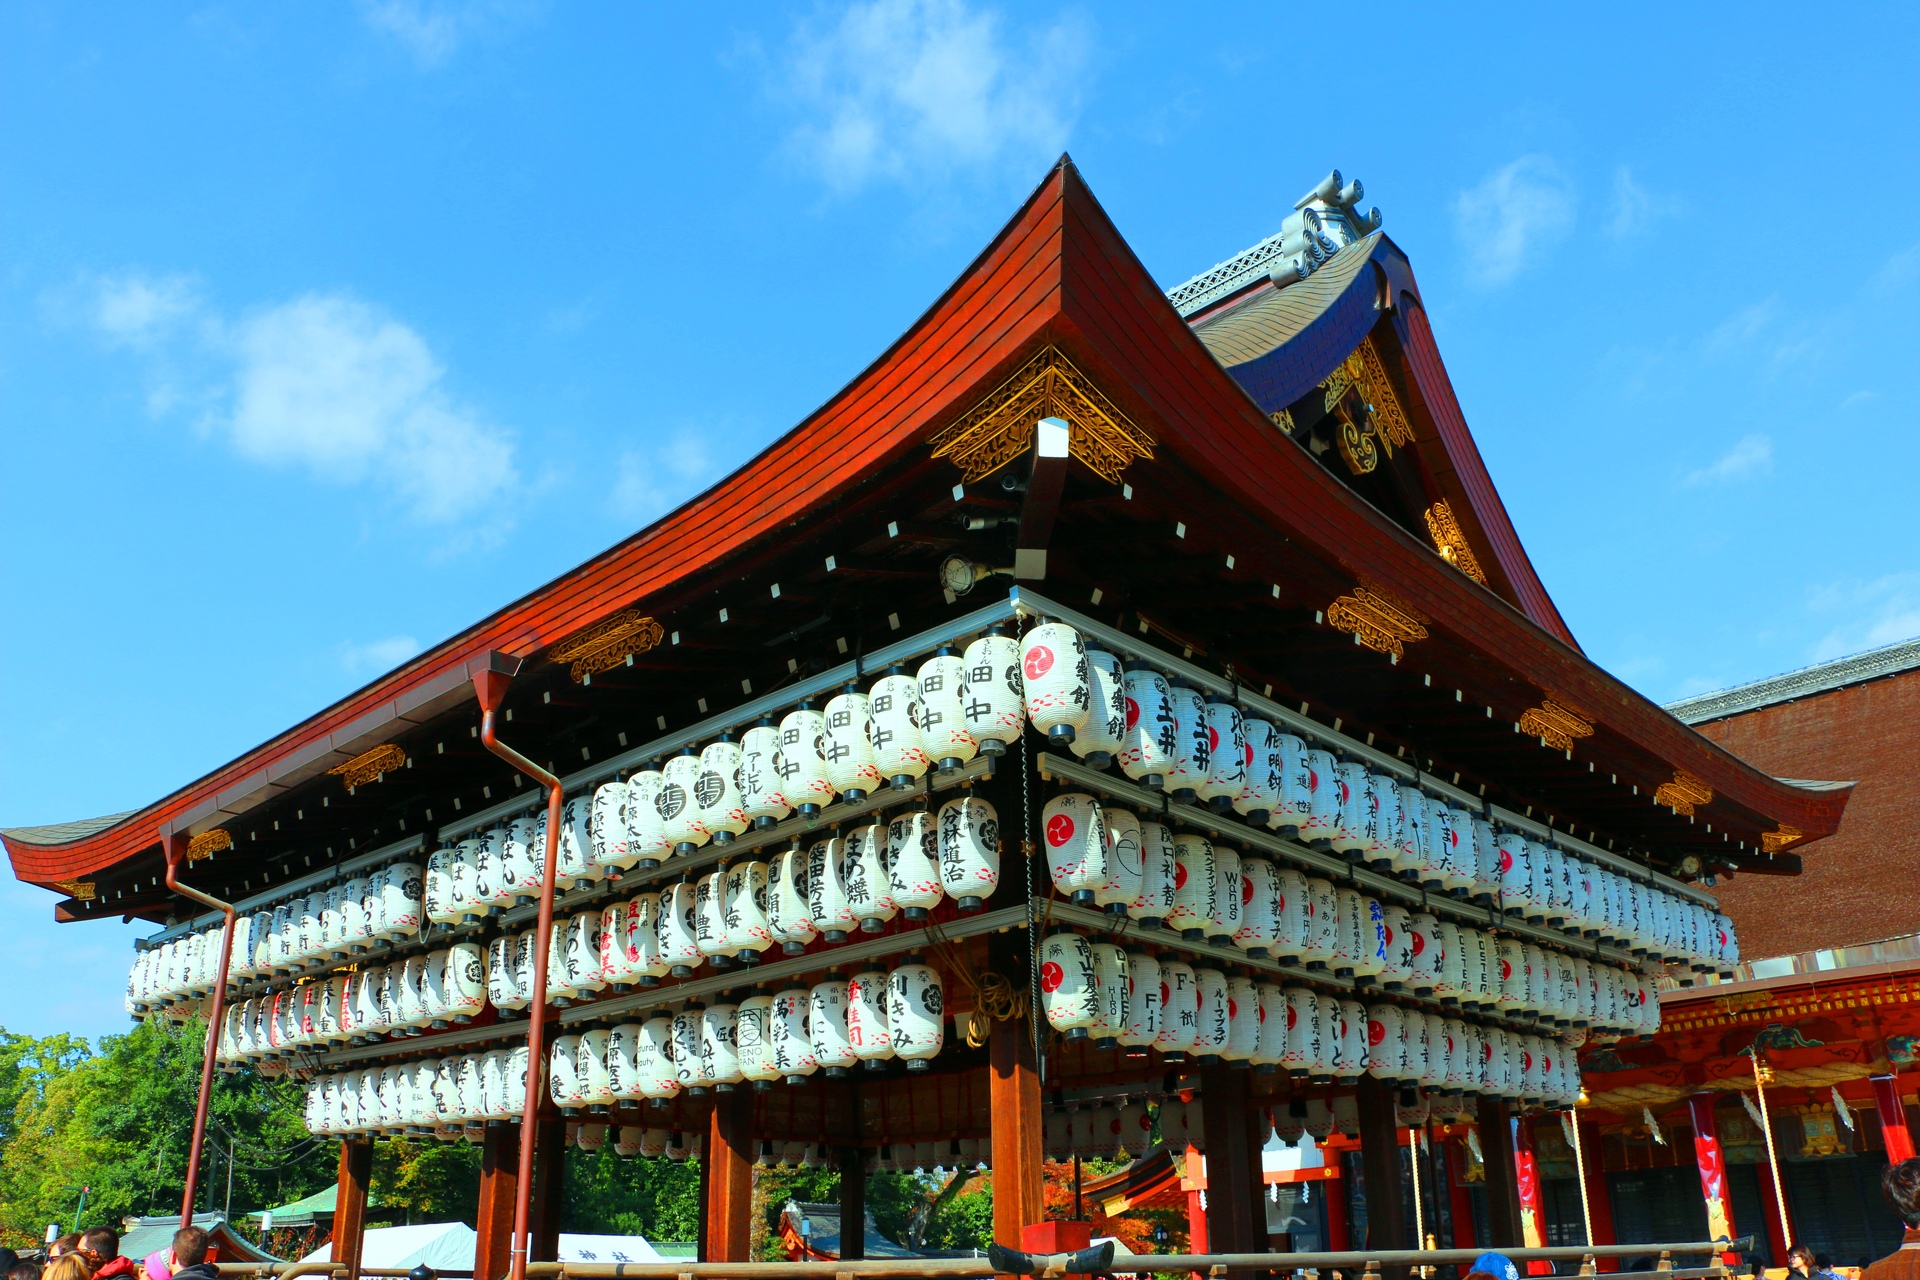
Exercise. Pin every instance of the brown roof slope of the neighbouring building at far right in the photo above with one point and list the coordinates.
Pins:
(1861, 884)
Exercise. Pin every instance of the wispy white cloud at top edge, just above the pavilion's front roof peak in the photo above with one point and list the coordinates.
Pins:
(913, 89)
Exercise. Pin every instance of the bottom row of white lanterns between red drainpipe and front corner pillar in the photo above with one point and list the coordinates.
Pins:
(790, 1035)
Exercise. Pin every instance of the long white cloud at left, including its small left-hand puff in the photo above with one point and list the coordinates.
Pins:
(325, 383)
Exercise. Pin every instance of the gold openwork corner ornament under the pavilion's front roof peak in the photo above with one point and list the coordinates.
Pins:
(999, 429)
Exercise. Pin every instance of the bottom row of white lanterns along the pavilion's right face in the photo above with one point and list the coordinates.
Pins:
(1134, 999)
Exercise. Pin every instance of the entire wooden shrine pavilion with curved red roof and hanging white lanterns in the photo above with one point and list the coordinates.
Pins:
(1120, 723)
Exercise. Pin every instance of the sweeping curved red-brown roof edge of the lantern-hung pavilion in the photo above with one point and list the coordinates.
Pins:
(1059, 275)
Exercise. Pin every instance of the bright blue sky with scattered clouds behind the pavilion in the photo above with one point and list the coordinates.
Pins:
(329, 329)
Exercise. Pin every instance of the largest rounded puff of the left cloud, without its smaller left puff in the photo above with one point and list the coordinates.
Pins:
(352, 394)
